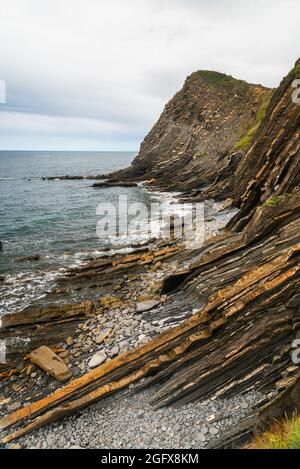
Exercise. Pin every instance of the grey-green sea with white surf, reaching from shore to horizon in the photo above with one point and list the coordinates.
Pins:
(56, 219)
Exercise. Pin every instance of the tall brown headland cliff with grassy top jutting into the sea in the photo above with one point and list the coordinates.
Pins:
(198, 128)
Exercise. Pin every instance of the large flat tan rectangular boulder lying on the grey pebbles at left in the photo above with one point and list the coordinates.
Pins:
(48, 361)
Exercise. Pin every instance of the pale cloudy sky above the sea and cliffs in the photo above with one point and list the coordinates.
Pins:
(96, 74)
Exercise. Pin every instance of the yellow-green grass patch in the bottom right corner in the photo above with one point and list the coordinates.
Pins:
(282, 435)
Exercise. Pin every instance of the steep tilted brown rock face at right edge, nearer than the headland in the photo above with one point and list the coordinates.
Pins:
(271, 168)
